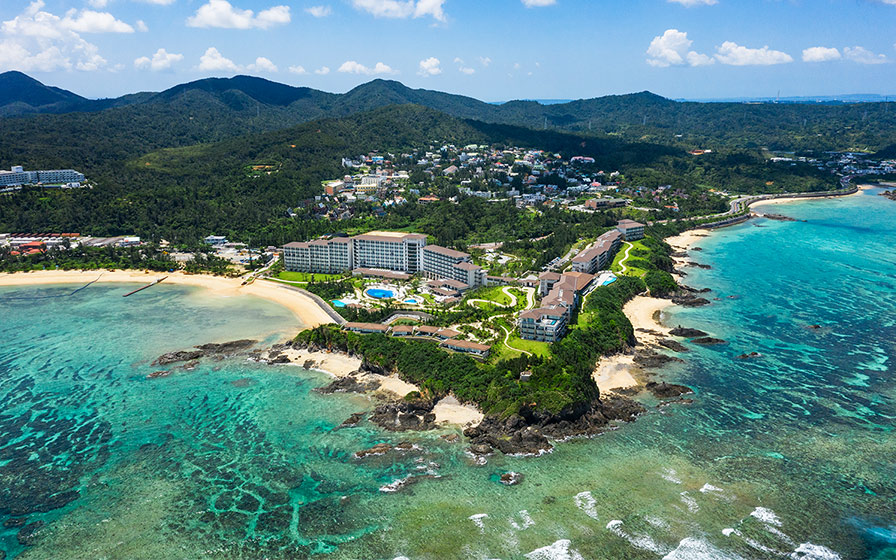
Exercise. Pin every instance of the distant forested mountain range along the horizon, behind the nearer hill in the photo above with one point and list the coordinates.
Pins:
(216, 108)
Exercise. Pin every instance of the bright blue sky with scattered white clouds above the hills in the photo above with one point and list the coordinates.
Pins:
(494, 50)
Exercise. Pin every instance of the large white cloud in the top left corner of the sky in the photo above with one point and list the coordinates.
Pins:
(36, 40)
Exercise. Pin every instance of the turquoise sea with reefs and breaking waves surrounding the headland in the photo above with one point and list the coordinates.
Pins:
(790, 455)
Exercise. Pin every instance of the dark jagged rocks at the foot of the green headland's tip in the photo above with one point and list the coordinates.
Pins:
(531, 432)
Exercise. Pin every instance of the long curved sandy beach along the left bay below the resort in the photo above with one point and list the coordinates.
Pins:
(308, 313)
